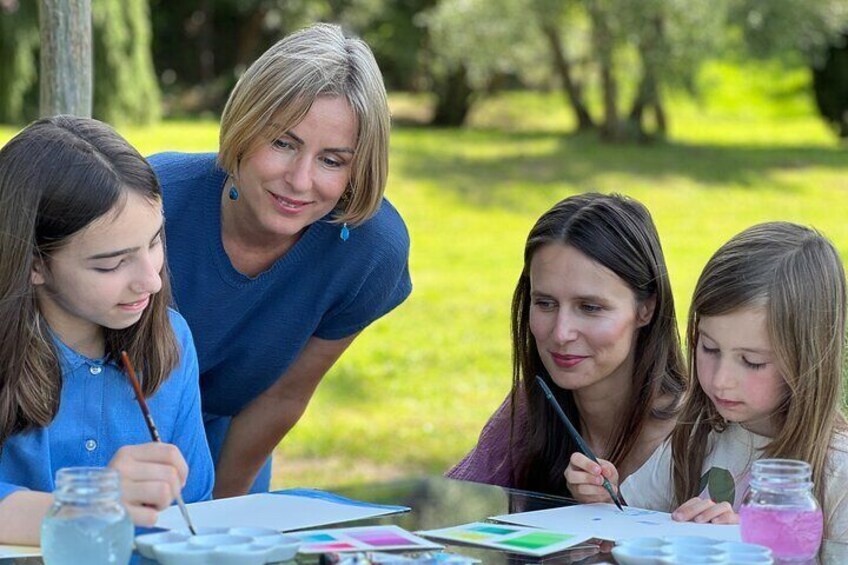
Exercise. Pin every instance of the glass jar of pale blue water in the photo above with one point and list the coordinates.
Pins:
(87, 522)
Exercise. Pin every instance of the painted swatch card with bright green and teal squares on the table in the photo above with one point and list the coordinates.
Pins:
(515, 539)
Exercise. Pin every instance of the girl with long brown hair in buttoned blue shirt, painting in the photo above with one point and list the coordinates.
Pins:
(83, 278)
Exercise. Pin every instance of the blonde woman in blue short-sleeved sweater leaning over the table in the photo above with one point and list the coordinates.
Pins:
(281, 245)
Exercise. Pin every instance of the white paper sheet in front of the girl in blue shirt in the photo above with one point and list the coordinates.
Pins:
(282, 510)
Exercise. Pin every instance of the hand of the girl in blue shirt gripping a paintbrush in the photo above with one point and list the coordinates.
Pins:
(152, 475)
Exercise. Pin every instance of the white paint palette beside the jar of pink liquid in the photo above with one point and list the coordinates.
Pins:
(689, 549)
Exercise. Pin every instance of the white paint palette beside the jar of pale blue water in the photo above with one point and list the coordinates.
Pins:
(218, 546)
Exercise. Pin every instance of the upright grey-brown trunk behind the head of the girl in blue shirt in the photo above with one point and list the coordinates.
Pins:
(66, 63)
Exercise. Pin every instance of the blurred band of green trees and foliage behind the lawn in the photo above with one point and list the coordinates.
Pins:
(615, 60)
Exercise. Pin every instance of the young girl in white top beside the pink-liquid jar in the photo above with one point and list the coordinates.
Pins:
(765, 339)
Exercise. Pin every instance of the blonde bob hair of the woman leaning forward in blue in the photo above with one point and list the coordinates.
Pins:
(278, 89)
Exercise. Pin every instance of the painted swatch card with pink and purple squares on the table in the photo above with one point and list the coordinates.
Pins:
(368, 538)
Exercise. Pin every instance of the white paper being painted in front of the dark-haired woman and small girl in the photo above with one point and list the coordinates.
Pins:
(605, 521)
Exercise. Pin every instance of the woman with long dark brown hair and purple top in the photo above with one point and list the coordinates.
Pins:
(593, 315)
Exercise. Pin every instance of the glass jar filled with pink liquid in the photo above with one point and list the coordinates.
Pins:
(780, 511)
